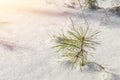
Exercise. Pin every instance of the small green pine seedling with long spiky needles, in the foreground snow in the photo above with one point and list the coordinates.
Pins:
(76, 44)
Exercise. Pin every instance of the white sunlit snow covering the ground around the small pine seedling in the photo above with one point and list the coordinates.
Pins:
(25, 44)
